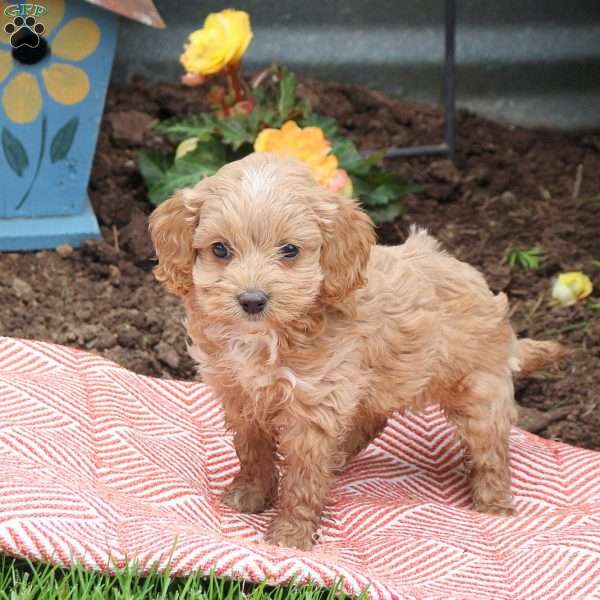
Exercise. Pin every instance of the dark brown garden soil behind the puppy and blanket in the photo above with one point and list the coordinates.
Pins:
(509, 186)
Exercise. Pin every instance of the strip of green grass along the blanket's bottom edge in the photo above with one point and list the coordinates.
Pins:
(22, 580)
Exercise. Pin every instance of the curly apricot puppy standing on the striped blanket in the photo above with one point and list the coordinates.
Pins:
(312, 335)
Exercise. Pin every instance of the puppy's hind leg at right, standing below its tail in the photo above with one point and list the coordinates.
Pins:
(484, 412)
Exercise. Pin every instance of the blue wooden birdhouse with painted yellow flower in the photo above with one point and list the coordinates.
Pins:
(55, 63)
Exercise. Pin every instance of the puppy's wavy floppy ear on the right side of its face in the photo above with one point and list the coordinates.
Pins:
(348, 235)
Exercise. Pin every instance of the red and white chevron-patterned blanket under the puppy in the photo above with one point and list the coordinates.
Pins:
(103, 466)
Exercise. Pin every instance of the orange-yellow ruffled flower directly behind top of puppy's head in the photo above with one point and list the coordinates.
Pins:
(309, 145)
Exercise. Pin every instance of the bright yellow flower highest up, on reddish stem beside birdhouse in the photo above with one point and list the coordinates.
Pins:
(221, 42)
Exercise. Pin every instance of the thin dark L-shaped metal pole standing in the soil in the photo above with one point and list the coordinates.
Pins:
(448, 147)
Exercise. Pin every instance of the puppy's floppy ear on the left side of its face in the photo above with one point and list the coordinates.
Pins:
(172, 227)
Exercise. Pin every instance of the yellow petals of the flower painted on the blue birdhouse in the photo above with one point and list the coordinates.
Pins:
(65, 83)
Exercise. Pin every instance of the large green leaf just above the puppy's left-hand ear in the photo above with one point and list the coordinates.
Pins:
(205, 160)
